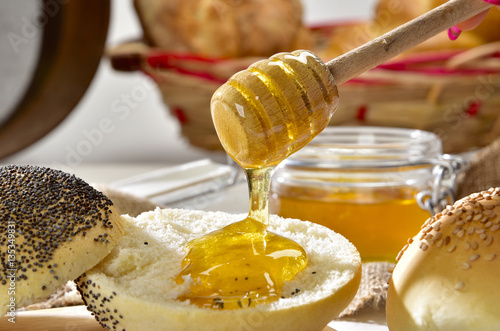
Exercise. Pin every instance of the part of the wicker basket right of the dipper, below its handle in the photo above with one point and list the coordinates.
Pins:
(455, 95)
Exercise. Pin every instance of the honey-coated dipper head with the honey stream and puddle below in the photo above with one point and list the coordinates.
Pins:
(261, 115)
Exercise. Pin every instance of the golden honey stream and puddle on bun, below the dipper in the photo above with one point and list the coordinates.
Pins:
(242, 264)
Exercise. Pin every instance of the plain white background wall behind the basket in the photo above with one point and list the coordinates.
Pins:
(148, 133)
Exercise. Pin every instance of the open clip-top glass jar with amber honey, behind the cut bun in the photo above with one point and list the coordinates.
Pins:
(375, 186)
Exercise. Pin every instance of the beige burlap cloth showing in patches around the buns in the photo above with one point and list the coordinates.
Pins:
(482, 173)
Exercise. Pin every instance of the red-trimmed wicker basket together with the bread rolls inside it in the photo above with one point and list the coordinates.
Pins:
(447, 87)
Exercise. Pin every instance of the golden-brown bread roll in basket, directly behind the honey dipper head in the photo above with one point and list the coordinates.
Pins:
(224, 28)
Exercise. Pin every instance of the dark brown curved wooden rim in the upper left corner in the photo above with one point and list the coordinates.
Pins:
(72, 46)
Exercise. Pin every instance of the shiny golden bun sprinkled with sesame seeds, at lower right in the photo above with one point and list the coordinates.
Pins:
(448, 277)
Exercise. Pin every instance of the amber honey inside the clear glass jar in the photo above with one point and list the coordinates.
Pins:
(377, 221)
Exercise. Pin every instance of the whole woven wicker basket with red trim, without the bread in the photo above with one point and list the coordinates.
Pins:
(453, 94)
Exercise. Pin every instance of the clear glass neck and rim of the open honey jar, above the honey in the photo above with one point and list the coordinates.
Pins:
(368, 147)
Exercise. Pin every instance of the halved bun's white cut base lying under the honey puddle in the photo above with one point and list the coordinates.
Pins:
(133, 288)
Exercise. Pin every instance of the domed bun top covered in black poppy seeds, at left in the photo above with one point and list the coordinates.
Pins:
(53, 227)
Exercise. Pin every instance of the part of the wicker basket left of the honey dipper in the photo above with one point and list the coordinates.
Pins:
(187, 83)
